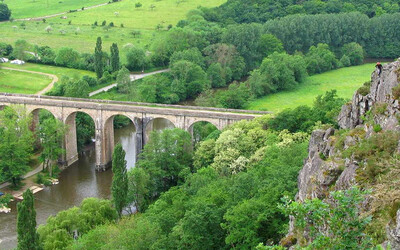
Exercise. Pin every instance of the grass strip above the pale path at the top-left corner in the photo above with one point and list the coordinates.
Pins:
(38, 8)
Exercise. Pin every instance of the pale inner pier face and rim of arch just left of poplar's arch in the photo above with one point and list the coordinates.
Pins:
(70, 142)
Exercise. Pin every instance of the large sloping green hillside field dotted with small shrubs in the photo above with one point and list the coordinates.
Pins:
(144, 19)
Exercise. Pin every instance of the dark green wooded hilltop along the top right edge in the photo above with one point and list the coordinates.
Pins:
(260, 11)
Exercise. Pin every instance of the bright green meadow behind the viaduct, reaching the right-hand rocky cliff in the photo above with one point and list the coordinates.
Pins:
(346, 81)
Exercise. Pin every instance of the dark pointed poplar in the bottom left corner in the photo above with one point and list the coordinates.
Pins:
(26, 223)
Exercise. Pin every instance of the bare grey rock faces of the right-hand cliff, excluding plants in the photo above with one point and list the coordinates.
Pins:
(325, 169)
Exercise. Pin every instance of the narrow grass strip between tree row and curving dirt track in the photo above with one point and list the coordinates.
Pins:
(58, 71)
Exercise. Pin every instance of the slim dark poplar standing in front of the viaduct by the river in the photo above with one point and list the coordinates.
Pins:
(119, 186)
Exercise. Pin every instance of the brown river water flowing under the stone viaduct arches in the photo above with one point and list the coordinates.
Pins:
(77, 182)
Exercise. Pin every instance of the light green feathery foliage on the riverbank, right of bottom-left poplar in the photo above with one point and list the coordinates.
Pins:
(59, 230)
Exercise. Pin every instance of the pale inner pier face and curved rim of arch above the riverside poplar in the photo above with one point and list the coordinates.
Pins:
(108, 136)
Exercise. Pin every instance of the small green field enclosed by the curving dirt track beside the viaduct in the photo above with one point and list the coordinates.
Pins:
(21, 82)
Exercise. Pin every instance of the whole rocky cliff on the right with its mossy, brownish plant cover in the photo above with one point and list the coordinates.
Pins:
(372, 116)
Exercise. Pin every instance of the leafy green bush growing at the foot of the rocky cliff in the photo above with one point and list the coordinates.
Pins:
(334, 225)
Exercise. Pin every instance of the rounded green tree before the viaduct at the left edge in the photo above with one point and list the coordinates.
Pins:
(16, 144)
